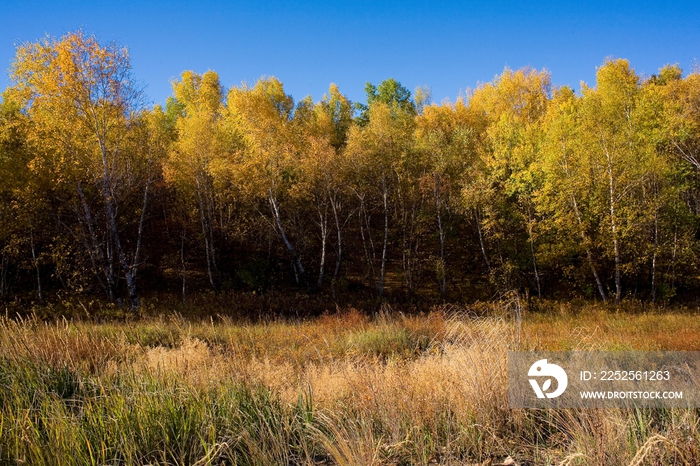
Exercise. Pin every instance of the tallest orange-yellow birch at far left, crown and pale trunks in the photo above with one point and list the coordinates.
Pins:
(82, 100)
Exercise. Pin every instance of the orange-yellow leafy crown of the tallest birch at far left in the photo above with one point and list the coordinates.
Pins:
(79, 94)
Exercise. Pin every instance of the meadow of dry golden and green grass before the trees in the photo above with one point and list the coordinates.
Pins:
(345, 388)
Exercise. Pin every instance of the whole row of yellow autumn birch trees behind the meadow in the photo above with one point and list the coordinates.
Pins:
(517, 185)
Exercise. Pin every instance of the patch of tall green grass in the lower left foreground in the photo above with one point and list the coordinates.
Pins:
(58, 417)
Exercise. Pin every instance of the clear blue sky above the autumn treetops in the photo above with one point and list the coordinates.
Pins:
(450, 46)
